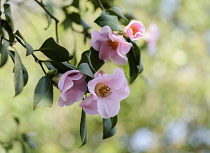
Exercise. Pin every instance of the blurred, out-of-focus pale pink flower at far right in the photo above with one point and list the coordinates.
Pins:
(151, 36)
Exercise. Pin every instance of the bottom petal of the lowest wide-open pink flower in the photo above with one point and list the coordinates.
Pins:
(108, 106)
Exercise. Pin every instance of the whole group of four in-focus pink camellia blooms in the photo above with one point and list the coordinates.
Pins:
(106, 90)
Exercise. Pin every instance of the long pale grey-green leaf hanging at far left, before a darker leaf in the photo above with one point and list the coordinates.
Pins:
(18, 74)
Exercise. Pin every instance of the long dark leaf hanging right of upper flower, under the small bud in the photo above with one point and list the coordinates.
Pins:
(135, 62)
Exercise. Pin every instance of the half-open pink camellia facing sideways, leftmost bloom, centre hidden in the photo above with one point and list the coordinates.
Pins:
(72, 85)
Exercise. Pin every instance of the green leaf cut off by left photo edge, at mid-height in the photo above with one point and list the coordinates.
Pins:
(4, 53)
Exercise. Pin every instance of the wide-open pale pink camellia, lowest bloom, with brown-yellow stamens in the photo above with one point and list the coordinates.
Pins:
(107, 90)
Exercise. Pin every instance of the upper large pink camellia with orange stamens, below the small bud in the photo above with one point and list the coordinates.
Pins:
(110, 45)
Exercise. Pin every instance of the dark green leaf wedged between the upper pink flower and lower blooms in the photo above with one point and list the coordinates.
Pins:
(92, 58)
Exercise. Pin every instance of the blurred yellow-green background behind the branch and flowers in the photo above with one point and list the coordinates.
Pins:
(168, 108)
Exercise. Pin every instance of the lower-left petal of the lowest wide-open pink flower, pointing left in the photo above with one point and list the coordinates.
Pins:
(89, 105)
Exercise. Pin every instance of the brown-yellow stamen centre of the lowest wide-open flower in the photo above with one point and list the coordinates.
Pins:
(102, 90)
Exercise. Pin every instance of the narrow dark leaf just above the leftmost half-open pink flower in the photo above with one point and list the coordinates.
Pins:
(62, 67)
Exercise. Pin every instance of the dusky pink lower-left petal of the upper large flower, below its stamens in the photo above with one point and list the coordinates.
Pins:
(105, 51)
